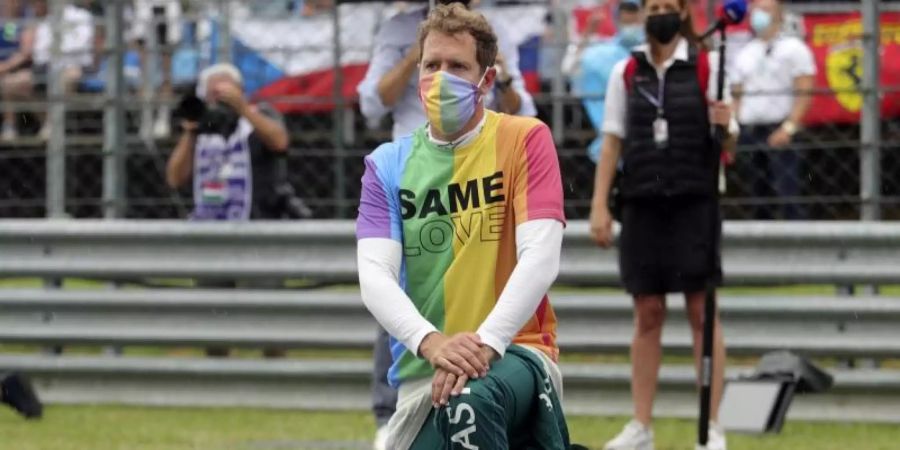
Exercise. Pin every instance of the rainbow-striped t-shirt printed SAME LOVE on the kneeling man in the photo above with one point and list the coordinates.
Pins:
(455, 213)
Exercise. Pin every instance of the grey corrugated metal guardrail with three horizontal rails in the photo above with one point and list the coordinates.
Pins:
(861, 331)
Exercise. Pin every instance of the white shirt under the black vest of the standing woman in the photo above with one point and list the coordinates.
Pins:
(617, 96)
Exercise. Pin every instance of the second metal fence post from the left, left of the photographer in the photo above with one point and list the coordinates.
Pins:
(113, 114)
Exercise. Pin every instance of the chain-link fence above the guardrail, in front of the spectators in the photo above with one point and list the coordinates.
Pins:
(107, 149)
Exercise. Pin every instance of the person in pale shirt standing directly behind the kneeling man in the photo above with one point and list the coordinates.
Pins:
(391, 86)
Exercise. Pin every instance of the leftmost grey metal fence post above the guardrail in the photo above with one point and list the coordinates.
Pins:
(56, 117)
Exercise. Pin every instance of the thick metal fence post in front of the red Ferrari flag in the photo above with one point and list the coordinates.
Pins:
(870, 121)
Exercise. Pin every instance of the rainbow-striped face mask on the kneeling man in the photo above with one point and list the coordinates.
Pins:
(450, 101)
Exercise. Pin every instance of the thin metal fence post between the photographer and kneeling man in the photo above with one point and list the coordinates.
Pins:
(340, 185)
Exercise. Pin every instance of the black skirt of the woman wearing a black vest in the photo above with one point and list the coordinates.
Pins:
(666, 245)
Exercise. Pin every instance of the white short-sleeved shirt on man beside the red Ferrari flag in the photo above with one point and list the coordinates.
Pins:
(766, 71)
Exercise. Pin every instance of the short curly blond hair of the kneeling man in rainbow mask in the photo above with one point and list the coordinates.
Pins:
(453, 19)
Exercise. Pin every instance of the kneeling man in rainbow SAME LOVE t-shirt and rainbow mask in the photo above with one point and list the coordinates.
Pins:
(454, 305)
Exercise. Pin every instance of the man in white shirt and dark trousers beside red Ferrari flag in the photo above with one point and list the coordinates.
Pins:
(774, 75)
